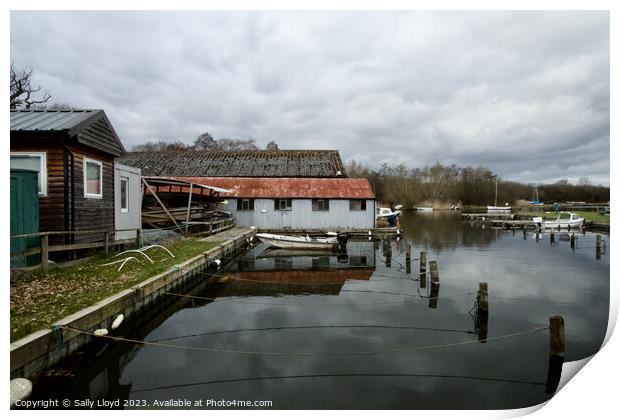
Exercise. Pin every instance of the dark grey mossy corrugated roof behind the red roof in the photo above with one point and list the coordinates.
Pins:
(242, 163)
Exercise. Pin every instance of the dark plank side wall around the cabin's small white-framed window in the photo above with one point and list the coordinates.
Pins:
(93, 213)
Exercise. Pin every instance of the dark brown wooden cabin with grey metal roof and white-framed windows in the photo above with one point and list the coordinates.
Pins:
(73, 152)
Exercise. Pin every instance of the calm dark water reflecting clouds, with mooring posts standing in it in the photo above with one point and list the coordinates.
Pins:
(303, 306)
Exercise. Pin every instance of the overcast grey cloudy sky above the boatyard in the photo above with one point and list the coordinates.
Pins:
(524, 93)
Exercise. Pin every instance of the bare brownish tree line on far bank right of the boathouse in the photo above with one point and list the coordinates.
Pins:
(443, 186)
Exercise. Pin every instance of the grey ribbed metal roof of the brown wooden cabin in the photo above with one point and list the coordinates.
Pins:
(48, 120)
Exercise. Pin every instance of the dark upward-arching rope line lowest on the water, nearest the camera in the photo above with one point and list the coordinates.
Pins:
(342, 375)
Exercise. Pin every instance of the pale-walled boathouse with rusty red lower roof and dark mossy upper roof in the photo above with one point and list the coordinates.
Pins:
(297, 189)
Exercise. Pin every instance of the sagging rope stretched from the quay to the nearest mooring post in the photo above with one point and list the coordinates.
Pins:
(358, 353)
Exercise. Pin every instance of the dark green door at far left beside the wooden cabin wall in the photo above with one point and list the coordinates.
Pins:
(24, 214)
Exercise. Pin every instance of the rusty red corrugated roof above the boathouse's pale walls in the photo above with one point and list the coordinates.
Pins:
(347, 188)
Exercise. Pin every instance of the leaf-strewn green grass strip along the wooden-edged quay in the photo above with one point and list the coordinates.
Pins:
(38, 299)
